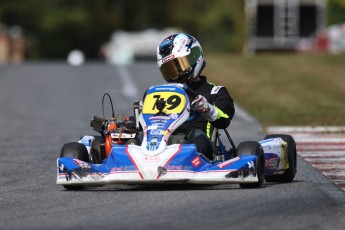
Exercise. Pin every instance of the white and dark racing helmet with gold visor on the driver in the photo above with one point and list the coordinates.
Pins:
(180, 58)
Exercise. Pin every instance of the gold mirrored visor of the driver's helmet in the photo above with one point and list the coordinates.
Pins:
(175, 68)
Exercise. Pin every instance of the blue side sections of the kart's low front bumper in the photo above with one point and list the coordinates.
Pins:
(186, 159)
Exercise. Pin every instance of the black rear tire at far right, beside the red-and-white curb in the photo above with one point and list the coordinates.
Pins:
(290, 173)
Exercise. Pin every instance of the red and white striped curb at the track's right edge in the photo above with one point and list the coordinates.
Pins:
(322, 147)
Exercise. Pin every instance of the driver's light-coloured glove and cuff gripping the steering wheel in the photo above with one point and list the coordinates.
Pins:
(201, 105)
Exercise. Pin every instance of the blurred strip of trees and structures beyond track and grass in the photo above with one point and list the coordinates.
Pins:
(51, 29)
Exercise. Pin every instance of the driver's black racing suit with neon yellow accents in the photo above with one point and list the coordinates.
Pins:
(199, 130)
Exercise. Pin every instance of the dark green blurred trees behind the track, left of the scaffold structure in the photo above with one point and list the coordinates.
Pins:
(54, 27)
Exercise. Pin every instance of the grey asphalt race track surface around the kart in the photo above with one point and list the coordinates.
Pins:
(44, 105)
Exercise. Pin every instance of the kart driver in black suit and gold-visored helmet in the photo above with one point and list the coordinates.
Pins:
(180, 59)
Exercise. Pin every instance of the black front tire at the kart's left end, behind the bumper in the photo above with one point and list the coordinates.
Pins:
(78, 151)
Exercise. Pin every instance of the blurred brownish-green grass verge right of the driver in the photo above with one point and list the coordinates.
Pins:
(284, 89)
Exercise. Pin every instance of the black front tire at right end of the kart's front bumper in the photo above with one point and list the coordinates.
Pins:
(253, 148)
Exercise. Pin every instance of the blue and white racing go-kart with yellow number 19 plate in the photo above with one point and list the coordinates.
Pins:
(142, 149)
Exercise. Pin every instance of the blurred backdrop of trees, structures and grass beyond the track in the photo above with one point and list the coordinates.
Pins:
(291, 49)
